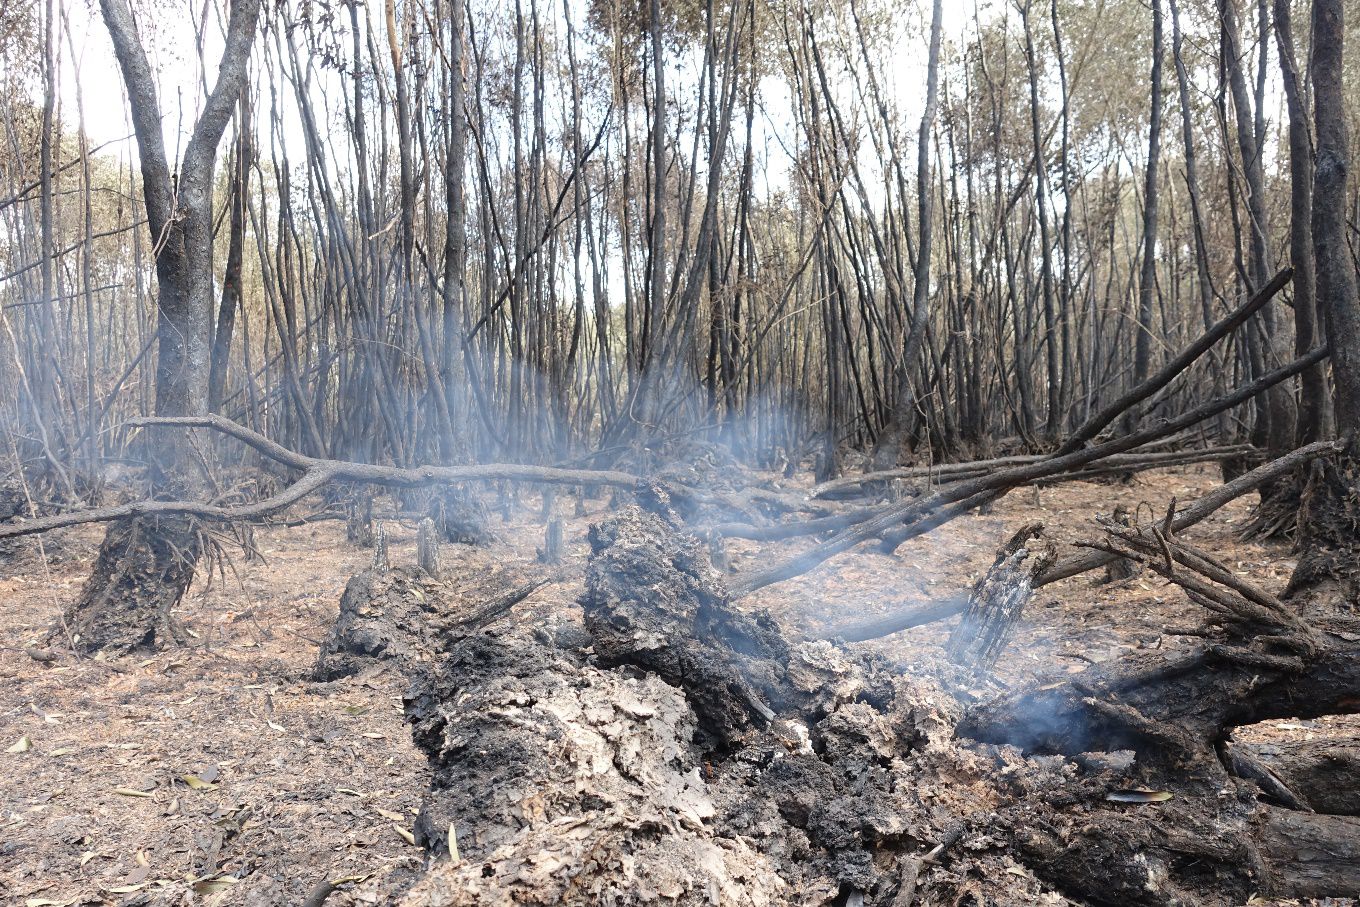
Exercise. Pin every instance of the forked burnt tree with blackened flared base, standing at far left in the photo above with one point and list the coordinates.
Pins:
(146, 565)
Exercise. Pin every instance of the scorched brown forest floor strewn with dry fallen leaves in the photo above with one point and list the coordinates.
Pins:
(228, 759)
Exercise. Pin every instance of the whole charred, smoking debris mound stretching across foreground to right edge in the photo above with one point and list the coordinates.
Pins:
(674, 750)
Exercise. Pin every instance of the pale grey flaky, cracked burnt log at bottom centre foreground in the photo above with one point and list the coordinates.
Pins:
(564, 781)
